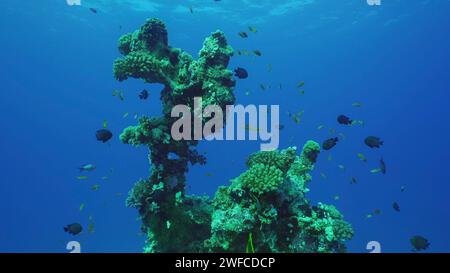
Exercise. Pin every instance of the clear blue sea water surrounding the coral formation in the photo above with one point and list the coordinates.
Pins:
(56, 83)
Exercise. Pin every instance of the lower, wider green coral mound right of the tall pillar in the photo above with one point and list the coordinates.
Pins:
(285, 221)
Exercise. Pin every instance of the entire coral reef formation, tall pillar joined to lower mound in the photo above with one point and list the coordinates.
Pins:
(265, 205)
